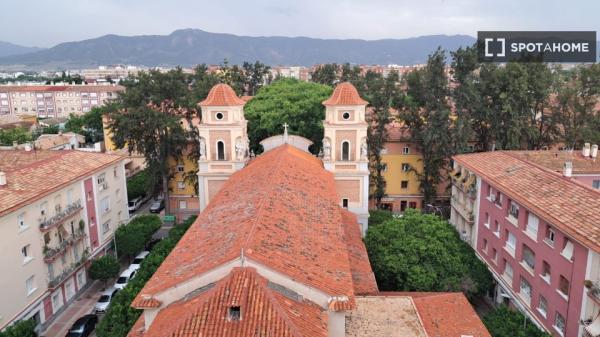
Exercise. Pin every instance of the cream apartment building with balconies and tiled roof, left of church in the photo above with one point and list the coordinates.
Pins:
(58, 210)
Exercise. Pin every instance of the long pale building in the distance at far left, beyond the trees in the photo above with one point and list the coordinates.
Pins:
(54, 100)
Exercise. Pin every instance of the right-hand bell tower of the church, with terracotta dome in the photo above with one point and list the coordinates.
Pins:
(345, 151)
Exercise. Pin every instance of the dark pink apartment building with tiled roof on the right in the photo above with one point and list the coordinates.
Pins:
(538, 231)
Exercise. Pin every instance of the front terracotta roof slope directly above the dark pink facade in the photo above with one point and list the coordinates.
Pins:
(560, 201)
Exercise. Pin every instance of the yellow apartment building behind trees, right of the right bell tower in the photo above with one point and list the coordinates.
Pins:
(403, 160)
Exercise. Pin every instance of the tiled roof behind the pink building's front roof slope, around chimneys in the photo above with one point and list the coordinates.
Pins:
(554, 160)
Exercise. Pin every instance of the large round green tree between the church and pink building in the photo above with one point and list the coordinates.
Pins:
(423, 252)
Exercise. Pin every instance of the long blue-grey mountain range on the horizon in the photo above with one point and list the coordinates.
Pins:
(192, 46)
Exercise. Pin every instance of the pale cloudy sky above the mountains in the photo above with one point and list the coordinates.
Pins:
(45, 23)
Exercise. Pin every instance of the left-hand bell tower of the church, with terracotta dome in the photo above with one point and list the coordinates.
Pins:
(223, 140)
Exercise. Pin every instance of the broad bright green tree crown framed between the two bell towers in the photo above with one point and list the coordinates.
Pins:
(290, 101)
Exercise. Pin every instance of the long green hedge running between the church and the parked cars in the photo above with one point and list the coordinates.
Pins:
(120, 316)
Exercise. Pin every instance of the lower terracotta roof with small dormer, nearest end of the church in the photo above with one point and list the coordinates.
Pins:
(264, 311)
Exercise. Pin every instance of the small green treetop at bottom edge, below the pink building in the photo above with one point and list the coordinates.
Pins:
(503, 322)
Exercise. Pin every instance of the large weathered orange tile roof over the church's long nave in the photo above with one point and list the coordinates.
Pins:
(289, 220)
